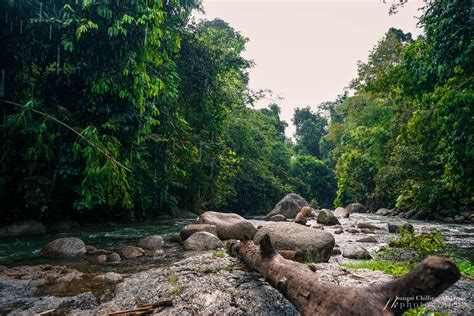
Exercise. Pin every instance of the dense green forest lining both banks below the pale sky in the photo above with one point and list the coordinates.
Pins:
(128, 110)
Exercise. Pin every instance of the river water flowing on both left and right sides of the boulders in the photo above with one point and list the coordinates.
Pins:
(24, 250)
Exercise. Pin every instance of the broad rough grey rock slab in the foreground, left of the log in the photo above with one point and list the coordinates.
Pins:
(200, 285)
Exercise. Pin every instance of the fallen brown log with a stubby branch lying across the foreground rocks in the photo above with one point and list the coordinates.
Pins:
(312, 297)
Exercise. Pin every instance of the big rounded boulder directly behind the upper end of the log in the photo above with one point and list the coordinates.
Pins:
(313, 244)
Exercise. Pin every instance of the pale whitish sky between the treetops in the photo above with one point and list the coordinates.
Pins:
(307, 51)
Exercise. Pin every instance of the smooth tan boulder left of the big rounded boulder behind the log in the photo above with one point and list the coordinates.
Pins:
(228, 225)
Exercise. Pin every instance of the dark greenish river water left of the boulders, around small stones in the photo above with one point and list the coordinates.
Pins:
(16, 251)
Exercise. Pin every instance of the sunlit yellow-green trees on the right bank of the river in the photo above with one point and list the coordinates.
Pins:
(406, 135)
